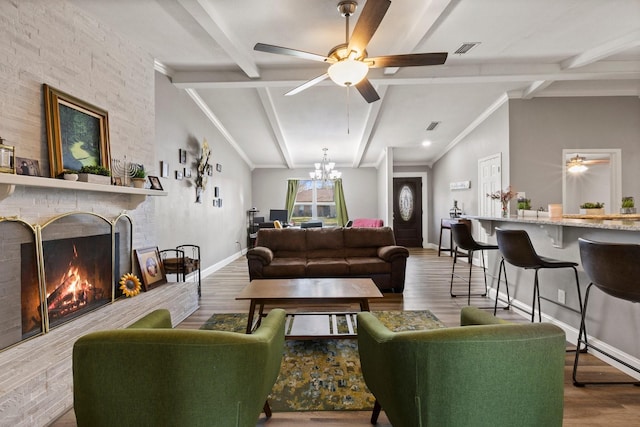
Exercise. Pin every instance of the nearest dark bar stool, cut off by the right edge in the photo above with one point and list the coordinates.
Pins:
(614, 269)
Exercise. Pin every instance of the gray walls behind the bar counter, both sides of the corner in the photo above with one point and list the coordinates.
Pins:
(531, 135)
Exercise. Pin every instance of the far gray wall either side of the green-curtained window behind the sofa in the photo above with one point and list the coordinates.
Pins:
(269, 189)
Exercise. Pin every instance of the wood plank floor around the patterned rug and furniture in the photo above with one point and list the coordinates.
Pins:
(427, 287)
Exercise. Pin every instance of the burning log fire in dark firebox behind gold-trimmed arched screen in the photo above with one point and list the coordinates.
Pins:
(78, 279)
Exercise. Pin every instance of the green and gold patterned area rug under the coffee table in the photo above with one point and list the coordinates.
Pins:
(324, 375)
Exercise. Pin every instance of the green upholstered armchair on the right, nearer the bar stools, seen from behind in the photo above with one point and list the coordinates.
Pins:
(486, 373)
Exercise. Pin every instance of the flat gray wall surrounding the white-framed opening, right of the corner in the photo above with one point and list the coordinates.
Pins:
(540, 128)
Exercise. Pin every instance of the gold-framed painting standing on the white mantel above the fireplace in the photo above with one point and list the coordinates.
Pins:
(77, 132)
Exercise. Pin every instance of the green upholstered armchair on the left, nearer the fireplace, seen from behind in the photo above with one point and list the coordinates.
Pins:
(150, 374)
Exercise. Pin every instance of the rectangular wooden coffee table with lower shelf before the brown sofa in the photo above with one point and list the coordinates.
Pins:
(283, 292)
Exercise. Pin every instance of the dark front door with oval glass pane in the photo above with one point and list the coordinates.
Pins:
(407, 211)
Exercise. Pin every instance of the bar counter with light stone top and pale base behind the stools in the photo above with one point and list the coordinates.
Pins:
(613, 322)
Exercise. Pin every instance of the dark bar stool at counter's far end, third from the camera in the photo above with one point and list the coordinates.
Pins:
(461, 236)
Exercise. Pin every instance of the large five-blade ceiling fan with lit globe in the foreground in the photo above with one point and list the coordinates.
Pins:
(349, 61)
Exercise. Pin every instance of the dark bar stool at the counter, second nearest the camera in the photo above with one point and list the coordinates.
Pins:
(516, 249)
